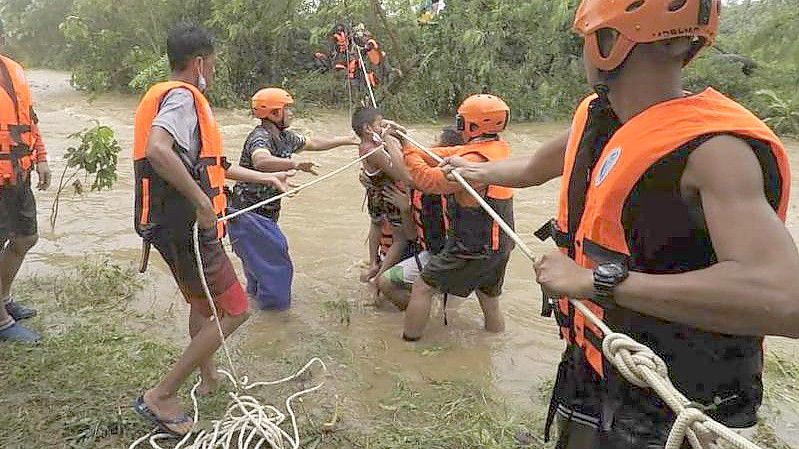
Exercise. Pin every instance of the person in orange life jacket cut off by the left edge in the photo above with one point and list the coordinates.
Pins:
(21, 150)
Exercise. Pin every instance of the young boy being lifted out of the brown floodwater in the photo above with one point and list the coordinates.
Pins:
(381, 170)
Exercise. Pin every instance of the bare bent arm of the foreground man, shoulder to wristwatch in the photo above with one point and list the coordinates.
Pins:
(752, 290)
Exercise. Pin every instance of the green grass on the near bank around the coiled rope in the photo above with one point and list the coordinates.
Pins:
(75, 390)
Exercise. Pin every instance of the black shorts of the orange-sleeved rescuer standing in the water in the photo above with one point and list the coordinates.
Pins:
(450, 273)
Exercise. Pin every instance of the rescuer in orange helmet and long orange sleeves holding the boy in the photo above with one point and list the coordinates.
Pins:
(476, 253)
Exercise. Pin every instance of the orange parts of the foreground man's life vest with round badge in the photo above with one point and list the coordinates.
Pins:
(598, 235)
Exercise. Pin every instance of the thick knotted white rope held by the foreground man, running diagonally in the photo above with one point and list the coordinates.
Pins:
(635, 361)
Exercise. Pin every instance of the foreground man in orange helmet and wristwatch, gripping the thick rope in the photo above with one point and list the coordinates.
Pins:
(656, 182)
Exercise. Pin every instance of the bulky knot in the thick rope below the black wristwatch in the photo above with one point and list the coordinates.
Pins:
(631, 357)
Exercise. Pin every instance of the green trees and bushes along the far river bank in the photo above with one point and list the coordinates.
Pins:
(523, 51)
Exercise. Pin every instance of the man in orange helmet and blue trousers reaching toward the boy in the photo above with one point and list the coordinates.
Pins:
(256, 238)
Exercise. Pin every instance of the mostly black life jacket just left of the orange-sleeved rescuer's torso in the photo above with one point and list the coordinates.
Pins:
(430, 220)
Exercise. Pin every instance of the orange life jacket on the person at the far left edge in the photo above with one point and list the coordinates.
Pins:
(16, 126)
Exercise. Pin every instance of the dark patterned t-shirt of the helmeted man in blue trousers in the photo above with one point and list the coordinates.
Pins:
(284, 146)
